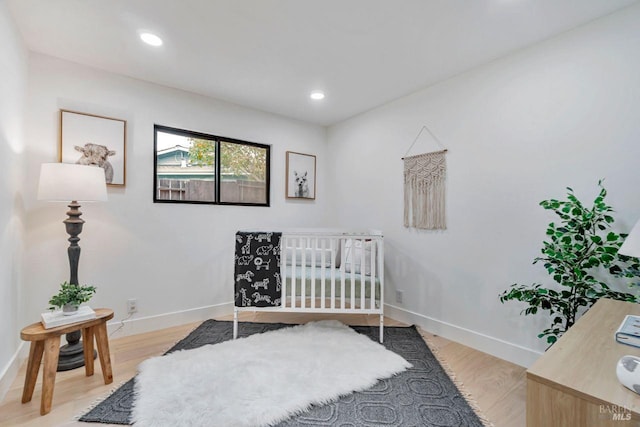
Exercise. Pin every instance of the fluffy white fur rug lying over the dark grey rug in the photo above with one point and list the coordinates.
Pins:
(262, 379)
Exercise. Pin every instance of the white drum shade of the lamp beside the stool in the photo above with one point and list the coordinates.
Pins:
(65, 182)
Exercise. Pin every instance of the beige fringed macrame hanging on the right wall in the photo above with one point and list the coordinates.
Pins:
(424, 188)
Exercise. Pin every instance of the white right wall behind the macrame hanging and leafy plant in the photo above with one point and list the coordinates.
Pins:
(519, 130)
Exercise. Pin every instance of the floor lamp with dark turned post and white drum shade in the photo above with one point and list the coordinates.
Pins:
(71, 183)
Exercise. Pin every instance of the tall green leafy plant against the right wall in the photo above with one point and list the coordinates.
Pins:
(580, 253)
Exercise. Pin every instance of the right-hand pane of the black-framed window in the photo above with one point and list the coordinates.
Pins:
(244, 177)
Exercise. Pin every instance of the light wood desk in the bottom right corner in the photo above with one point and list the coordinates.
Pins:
(575, 384)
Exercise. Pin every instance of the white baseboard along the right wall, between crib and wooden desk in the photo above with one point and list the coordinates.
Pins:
(496, 347)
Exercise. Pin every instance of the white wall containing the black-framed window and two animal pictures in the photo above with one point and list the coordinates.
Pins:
(173, 258)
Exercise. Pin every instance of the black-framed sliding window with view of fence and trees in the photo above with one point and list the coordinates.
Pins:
(192, 167)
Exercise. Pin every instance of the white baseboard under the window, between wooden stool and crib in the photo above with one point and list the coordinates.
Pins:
(121, 328)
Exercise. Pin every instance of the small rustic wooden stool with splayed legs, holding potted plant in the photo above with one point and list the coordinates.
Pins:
(47, 342)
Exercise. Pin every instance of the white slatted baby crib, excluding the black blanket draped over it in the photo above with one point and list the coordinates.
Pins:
(324, 271)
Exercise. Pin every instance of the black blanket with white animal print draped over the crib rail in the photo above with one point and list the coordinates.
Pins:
(257, 269)
